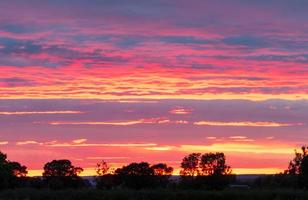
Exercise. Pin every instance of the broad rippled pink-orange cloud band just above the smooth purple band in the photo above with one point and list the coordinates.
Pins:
(180, 83)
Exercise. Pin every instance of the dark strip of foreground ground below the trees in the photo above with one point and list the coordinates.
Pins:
(91, 194)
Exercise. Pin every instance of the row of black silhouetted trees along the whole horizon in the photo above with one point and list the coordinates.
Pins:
(198, 171)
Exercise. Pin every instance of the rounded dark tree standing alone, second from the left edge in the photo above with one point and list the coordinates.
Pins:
(60, 174)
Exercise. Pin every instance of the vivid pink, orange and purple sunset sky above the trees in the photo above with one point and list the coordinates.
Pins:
(134, 80)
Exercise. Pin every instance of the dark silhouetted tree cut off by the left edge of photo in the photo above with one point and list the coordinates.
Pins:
(11, 173)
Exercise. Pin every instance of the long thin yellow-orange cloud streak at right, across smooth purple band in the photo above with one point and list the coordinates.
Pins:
(244, 123)
